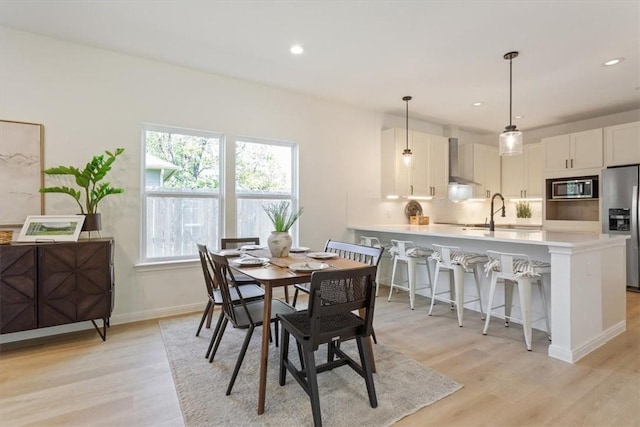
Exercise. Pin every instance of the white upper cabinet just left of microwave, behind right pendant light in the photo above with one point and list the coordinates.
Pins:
(522, 174)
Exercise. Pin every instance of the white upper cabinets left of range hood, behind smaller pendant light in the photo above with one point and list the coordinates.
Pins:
(428, 173)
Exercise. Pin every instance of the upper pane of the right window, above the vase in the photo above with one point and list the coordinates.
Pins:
(263, 168)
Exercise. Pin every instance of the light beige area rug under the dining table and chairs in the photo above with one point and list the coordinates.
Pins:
(402, 384)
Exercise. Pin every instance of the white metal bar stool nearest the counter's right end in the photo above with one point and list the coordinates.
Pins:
(520, 269)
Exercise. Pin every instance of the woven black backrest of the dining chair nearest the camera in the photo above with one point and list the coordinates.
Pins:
(334, 295)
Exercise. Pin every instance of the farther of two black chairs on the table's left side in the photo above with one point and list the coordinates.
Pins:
(250, 292)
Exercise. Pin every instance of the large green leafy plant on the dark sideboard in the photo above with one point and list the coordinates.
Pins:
(87, 179)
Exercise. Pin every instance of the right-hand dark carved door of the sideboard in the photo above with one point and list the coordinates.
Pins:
(75, 282)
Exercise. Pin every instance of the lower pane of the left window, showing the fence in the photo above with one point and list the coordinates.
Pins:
(175, 225)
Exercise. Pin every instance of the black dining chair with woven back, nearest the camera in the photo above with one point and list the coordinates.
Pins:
(331, 318)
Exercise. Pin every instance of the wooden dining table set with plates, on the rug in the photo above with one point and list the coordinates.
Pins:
(275, 273)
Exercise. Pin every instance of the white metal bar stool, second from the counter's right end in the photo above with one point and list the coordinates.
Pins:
(458, 263)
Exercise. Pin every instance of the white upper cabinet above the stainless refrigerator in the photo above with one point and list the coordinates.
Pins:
(622, 144)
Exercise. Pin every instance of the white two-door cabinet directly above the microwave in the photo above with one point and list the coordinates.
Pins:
(580, 150)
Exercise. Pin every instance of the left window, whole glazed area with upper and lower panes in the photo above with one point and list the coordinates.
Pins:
(181, 192)
